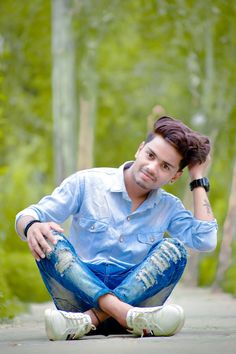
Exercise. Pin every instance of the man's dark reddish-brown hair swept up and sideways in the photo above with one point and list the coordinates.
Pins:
(191, 145)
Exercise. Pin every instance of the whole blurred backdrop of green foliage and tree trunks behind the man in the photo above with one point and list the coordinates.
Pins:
(81, 82)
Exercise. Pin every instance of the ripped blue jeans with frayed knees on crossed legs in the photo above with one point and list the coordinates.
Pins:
(75, 286)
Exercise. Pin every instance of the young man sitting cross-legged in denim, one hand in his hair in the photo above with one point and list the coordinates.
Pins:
(116, 264)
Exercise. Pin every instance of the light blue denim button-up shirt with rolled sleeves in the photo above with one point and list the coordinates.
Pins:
(104, 230)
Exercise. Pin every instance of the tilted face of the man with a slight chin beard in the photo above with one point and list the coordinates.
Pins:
(157, 163)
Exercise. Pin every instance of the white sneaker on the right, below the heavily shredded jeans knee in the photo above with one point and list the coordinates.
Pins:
(160, 321)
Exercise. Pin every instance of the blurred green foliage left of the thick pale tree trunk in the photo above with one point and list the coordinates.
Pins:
(26, 170)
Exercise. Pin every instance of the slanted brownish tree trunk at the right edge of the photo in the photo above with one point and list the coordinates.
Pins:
(229, 231)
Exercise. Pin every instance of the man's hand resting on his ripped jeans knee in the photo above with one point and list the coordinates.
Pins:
(38, 235)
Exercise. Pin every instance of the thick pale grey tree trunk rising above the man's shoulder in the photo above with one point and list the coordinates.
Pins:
(64, 90)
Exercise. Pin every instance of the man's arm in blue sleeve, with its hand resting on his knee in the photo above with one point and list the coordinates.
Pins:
(50, 211)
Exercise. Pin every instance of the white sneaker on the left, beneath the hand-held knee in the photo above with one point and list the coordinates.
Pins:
(61, 325)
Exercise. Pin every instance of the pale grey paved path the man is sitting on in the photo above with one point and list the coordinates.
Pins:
(210, 328)
